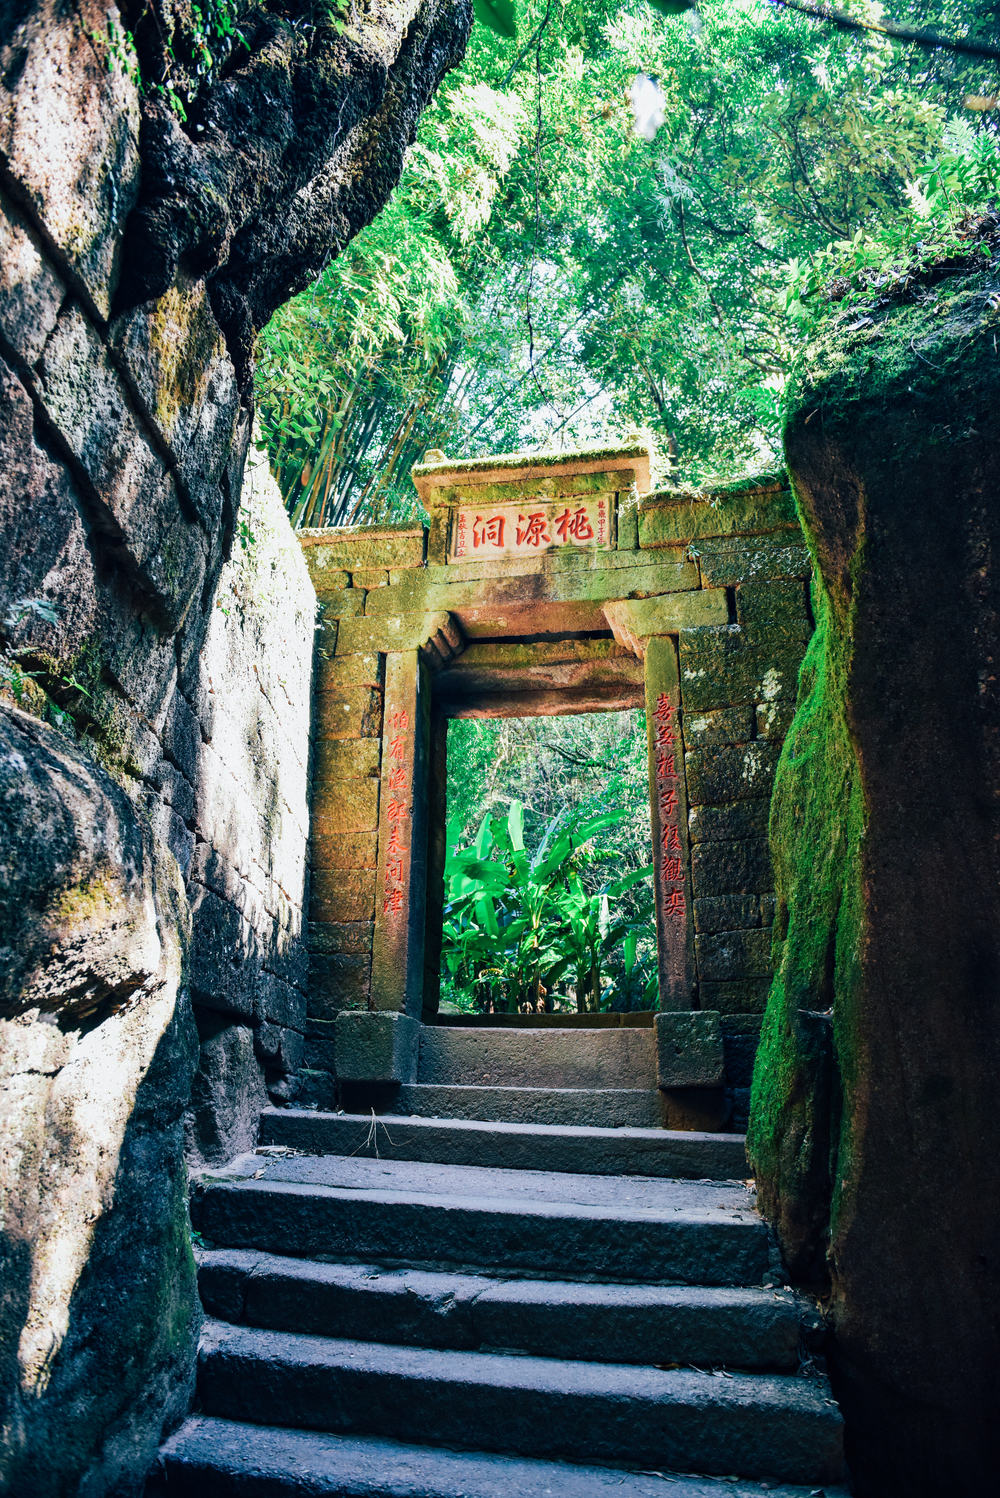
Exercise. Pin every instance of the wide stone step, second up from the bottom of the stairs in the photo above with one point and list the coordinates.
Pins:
(757, 1425)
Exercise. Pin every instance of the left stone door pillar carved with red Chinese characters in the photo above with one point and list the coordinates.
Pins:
(397, 956)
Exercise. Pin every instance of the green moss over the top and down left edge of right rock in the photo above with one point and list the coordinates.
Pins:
(920, 371)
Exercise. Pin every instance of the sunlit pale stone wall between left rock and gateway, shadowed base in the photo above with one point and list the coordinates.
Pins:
(251, 826)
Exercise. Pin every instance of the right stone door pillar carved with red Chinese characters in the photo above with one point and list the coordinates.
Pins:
(668, 814)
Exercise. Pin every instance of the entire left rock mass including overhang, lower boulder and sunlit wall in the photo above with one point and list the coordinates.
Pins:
(156, 615)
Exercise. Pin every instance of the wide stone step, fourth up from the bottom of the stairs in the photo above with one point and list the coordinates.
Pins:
(541, 1223)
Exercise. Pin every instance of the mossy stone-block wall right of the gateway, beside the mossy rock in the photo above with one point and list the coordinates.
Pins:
(739, 685)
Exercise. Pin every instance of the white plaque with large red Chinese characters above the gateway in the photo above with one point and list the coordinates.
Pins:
(531, 530)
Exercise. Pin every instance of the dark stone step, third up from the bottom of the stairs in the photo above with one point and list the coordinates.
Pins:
(739, 1328)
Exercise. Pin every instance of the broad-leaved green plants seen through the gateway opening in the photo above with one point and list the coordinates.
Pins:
(517, 924)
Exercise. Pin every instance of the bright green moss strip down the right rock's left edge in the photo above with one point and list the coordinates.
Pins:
(805, 1058)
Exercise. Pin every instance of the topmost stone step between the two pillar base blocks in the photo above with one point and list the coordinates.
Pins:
(537, 1058)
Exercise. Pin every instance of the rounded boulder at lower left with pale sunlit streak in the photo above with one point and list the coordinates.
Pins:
(98, 1049)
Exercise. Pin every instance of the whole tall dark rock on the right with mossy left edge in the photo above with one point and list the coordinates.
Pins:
(875, 1130)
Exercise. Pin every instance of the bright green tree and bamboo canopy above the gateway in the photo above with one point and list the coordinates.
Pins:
(546, 275)
